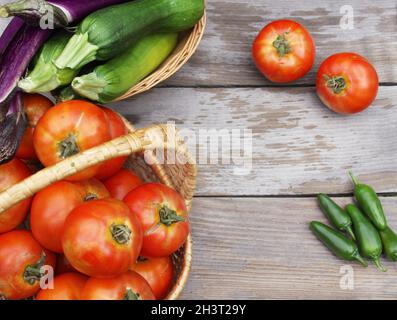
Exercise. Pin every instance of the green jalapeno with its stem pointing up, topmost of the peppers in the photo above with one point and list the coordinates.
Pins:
(370, 203)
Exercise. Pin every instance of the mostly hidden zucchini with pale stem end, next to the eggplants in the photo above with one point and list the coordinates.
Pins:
(45, 76)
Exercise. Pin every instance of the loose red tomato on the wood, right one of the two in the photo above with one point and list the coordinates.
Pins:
(347, 83)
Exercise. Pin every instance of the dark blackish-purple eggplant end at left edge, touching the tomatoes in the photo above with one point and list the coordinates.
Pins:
(12, 128)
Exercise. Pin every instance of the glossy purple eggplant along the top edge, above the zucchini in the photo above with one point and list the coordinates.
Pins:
(63, 12)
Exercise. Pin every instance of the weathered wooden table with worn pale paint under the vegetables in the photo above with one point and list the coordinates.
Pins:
(251, 237)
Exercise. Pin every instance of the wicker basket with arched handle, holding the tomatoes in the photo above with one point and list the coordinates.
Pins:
(141, 147)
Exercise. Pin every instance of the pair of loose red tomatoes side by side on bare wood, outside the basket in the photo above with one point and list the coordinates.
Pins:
(284, 51)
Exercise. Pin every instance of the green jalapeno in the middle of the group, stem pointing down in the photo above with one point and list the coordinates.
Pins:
(369, 240)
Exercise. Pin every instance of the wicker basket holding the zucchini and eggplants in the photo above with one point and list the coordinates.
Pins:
(182, 53)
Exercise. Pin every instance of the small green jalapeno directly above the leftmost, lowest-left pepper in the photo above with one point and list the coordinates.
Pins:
(338, 217)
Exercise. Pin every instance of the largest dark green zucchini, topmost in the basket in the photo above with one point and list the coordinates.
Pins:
(108, 32)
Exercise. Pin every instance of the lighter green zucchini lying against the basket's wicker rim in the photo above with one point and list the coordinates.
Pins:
(117, 76)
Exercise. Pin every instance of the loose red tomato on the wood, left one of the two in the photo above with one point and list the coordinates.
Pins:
(284, 51)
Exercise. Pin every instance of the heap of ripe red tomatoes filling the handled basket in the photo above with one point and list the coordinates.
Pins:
(101, 234)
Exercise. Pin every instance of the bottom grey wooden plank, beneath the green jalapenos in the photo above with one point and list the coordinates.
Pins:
(263, 249)
